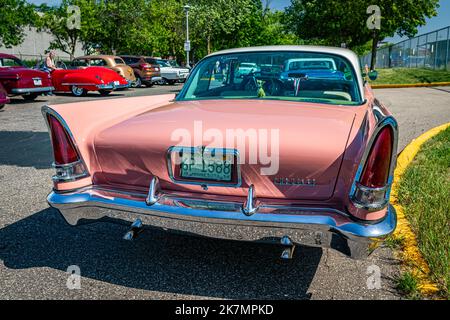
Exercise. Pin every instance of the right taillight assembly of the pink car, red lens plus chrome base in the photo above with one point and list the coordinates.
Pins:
(372, 188)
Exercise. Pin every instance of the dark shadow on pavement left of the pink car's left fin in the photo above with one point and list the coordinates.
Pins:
(26, 149)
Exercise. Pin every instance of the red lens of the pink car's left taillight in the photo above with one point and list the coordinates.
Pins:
(63, 147)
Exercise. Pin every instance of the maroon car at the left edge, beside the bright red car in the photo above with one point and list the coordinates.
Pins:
(18, 79)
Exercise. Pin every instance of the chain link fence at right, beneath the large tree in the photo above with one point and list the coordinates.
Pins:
(431, 51)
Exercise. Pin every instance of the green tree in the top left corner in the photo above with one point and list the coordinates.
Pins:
(14, 16)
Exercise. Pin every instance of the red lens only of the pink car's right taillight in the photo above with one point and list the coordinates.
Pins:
(376, 170)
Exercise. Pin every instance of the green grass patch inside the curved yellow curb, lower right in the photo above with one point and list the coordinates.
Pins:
(424, 192)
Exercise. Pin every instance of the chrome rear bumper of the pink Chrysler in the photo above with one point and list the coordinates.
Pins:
(305, 226)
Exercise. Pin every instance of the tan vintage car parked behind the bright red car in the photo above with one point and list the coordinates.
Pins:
(111, 62)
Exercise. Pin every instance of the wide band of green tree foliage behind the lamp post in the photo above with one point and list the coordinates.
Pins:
(158, 27)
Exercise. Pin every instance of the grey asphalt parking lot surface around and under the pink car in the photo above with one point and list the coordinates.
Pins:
(37, 246)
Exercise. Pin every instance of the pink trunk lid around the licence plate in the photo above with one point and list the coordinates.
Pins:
(311, 139)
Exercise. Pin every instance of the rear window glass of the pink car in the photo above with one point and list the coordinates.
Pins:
(294, 76)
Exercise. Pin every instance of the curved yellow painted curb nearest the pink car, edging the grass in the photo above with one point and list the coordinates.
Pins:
(411, 253)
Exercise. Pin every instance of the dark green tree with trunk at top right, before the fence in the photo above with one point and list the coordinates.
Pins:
(345, 21)
